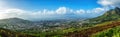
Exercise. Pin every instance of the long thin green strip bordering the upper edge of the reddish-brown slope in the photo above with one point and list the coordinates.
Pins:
(60, 33)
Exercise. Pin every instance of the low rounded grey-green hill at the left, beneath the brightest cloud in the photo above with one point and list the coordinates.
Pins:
(15, 24)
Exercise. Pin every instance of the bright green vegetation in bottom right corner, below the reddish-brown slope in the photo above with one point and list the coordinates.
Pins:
(112, 32)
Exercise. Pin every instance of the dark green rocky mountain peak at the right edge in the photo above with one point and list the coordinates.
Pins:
(113, 14)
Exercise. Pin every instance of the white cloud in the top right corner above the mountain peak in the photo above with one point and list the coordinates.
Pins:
(111, 3)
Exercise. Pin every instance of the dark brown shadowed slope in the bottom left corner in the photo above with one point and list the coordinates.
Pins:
(8, 33)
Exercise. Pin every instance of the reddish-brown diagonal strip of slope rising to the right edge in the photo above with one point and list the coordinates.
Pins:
(90, 31)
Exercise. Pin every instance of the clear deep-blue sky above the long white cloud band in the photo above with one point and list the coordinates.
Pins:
(53, 4)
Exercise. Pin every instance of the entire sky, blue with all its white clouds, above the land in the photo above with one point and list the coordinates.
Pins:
(54, 9)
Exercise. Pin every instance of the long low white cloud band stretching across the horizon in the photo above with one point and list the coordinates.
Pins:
(61, 12)
